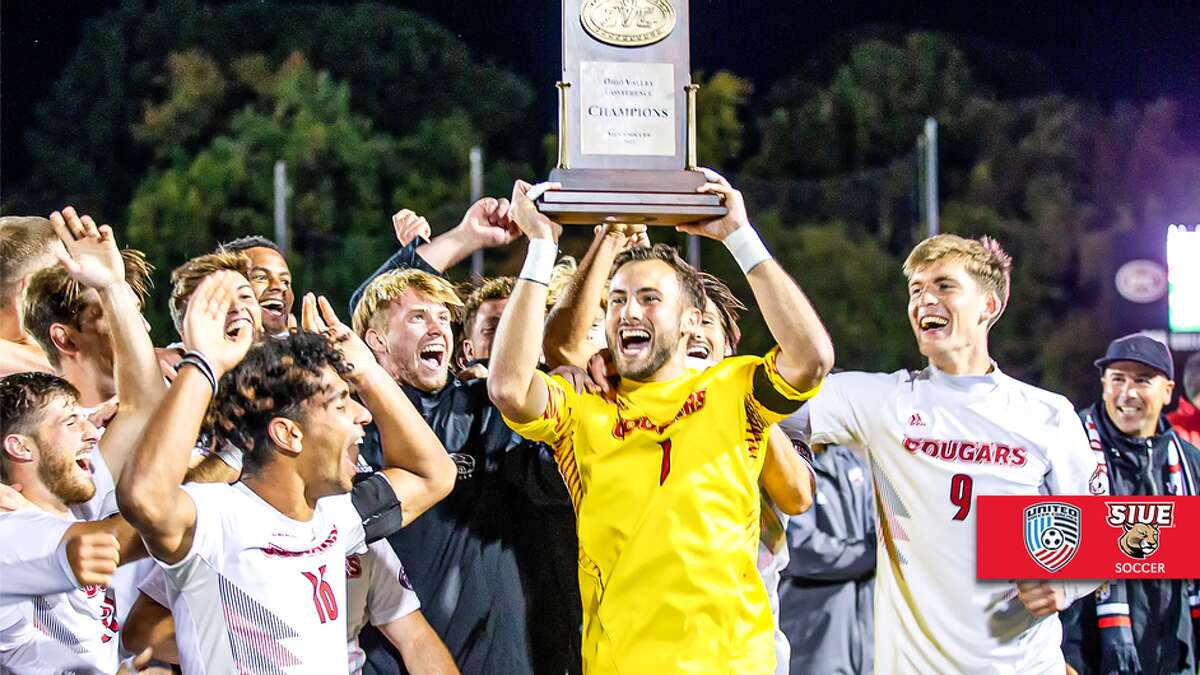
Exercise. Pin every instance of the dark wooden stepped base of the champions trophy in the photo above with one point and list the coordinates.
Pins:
(641, 198)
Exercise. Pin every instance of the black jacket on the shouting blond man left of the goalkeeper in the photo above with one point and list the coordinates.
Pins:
(495, 563)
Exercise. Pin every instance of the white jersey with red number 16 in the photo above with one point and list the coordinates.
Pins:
(260, 593)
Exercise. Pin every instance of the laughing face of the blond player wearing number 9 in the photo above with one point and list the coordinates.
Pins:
(949, 310)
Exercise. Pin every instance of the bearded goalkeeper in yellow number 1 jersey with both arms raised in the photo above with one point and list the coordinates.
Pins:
(665, 481)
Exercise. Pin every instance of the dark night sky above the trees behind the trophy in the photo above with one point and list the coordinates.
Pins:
(1103, 52)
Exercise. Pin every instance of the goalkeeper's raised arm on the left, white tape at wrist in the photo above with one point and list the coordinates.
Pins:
(513, 383)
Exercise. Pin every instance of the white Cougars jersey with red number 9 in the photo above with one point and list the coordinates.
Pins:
(937, 443)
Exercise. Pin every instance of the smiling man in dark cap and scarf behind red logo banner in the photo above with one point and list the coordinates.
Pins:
(1136, 626)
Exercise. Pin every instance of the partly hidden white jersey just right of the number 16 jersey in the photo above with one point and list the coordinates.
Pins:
(377, 590)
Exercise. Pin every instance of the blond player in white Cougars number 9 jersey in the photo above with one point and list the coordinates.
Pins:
(939, 438)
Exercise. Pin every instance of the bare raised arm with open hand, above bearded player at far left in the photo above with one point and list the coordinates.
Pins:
(93, 260)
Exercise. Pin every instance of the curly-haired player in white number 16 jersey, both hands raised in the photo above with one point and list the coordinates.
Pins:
(257, 570)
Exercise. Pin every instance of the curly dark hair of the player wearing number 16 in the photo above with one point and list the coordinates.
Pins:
(275, 380)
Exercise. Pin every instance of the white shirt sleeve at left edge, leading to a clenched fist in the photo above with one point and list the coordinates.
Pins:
(33, 558)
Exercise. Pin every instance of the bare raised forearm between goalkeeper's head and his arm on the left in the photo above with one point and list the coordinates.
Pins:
(571, 320)
